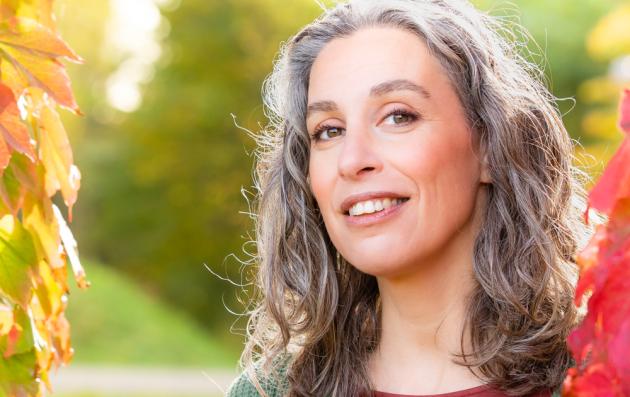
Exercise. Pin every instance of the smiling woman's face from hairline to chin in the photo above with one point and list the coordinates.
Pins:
(389, 125)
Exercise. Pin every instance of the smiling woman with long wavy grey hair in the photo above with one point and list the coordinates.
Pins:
(418, 212)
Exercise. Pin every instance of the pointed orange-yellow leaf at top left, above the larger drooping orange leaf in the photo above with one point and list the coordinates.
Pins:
(29, 34)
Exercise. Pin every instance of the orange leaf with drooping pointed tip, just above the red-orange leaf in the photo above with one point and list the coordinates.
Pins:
(46, 73)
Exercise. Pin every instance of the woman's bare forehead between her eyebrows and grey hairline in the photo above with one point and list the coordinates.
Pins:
(353, 64)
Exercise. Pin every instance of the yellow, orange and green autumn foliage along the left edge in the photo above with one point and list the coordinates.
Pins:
(35, 163)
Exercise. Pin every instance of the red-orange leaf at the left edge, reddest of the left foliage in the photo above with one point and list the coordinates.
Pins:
(11, 126)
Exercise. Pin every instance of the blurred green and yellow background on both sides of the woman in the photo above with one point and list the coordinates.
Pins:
(166, 169)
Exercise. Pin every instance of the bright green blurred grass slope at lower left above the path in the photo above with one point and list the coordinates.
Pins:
(115, 322)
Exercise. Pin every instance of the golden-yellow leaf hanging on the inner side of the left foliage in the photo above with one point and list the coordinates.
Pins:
(56, 154)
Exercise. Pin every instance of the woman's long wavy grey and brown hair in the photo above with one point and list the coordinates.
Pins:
(312, 303)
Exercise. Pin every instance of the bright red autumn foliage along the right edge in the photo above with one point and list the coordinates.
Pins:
(601, 345)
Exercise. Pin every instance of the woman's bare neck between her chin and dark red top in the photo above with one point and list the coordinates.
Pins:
(422, 322)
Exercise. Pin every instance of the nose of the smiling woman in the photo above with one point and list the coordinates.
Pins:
(359, 153)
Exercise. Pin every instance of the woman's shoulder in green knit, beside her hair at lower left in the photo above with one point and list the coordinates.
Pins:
(255, 384)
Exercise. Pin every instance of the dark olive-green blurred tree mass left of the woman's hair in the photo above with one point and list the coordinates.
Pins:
(162, 198)
